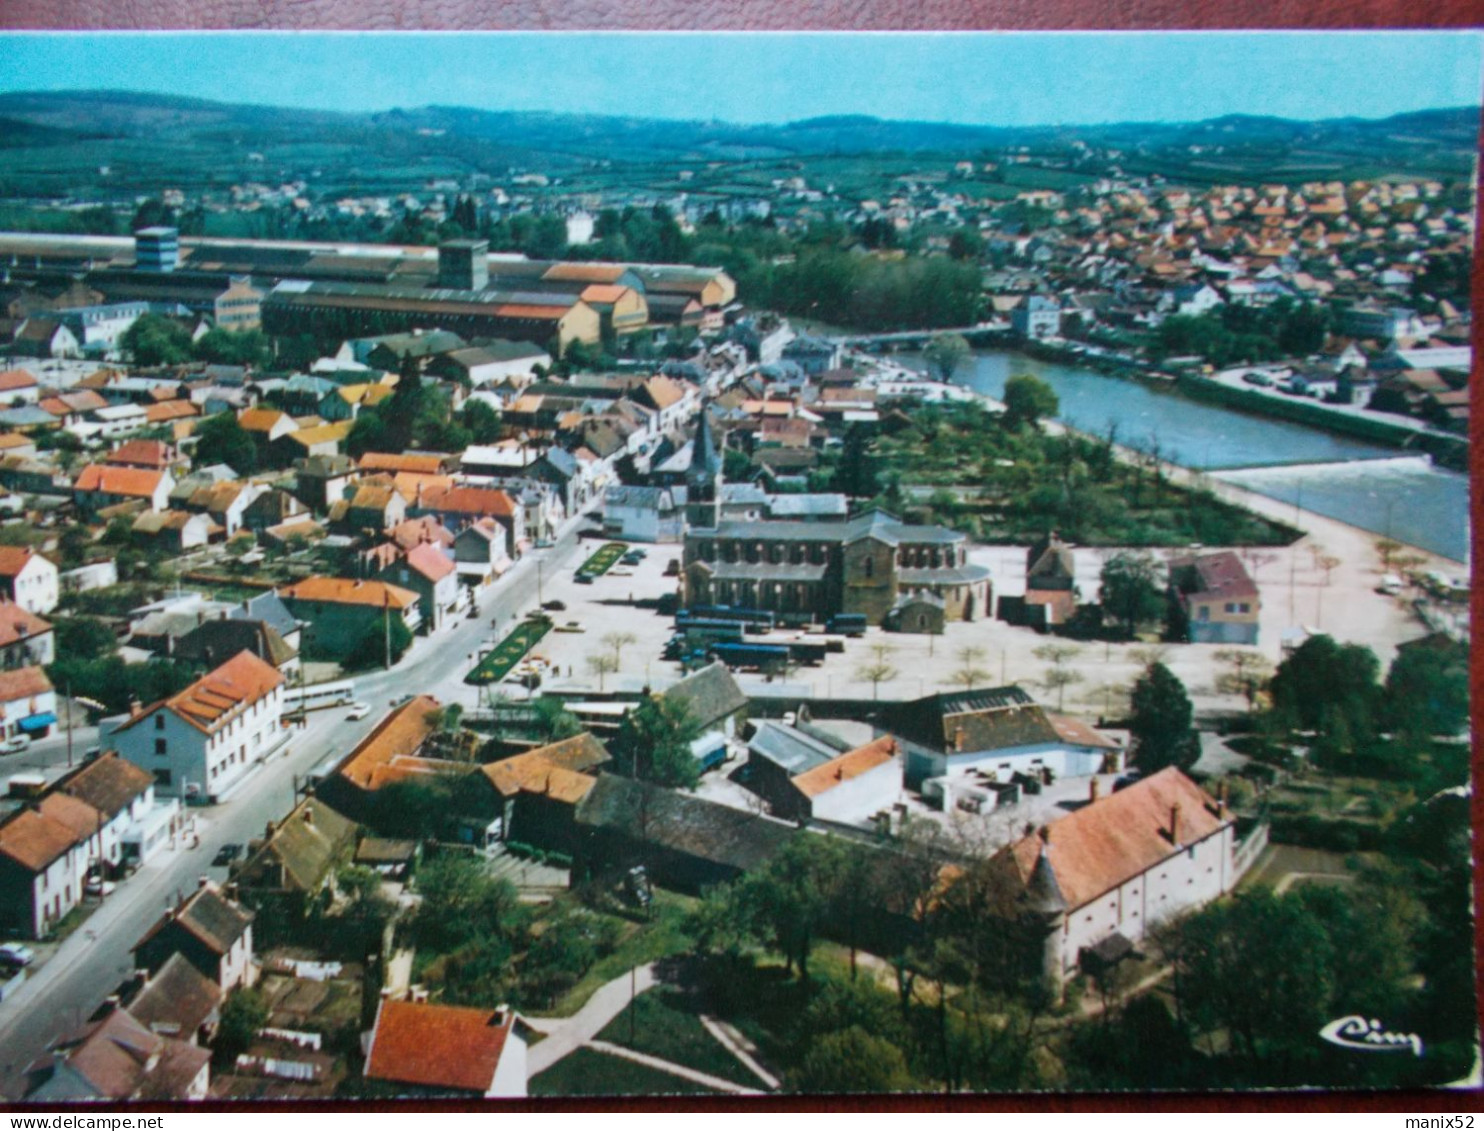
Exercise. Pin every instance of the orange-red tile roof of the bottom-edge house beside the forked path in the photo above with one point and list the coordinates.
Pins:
(439, 1046)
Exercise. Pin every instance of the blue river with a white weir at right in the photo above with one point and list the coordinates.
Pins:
(1369, 486)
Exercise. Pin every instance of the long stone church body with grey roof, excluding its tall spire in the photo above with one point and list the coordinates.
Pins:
(820, 569)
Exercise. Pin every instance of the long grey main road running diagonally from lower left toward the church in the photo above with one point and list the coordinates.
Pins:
(66, 988)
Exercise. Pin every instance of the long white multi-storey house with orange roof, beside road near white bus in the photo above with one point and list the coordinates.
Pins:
(203, 741)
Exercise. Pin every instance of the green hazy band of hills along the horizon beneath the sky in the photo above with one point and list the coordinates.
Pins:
(148, 139)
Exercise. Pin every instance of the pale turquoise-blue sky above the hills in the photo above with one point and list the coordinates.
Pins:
(988, 78)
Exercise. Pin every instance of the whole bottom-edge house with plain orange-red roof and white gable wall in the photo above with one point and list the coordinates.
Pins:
(425, 1050)
